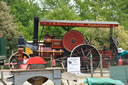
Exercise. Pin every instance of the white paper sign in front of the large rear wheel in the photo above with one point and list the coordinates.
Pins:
(73, 65)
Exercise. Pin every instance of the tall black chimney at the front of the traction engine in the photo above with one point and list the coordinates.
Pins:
(35, 36)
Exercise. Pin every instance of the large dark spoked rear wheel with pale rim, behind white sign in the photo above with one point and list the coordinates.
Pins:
(85, 52)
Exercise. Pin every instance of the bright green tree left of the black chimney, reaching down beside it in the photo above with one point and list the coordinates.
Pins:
(24, 12)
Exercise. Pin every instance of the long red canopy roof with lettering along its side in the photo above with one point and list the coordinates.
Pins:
(78, 23)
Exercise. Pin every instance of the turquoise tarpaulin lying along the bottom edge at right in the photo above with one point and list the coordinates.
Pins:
(101, 81)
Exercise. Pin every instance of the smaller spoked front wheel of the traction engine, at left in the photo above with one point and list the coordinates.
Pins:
(14, 60)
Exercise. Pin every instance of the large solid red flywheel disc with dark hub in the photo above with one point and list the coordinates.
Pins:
(71, 39)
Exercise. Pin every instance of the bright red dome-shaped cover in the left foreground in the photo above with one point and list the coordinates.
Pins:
(36, 60)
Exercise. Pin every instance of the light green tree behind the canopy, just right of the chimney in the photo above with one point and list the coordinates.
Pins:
(59, 10)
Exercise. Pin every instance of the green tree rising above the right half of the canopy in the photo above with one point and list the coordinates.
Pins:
(109, 10)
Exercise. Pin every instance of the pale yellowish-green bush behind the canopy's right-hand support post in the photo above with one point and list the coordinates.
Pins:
(100, 37)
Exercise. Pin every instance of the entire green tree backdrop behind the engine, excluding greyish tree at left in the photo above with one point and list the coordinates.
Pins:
(96, 10)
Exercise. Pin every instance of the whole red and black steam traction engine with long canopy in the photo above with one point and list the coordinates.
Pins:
(73, 44)
